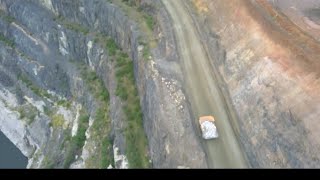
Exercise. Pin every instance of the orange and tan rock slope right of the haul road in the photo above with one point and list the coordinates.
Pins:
(270, 71)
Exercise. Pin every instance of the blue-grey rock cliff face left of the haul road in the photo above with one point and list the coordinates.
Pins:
(46, 48)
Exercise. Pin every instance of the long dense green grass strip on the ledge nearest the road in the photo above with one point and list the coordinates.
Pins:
(136, 142)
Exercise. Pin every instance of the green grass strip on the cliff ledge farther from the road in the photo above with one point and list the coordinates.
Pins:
(100, 130)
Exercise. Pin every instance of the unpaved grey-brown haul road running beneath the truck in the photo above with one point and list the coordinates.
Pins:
(205, 98)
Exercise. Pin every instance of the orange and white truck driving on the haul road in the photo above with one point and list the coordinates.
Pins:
(208, 127)
